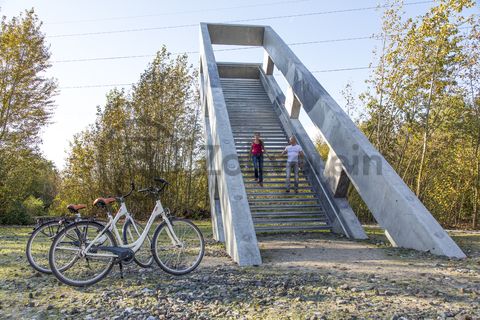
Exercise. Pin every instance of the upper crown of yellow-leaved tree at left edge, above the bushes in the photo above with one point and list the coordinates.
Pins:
(26, 93)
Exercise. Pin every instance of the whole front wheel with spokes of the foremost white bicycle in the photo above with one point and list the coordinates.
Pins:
(178, 250)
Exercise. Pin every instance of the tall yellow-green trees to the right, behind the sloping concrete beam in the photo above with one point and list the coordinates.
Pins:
(422, 108)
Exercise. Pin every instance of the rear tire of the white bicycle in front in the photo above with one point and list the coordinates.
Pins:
(58, 272)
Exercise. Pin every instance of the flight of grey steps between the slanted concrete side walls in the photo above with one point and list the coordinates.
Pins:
(273, 209)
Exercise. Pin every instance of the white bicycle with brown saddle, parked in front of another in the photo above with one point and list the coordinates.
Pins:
(84, 253)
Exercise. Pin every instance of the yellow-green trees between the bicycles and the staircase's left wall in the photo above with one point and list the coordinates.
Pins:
(154, 131)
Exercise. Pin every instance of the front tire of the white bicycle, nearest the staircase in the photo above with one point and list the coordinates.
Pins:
(155, 249)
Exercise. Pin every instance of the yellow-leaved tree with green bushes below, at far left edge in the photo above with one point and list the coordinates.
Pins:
(27, 180)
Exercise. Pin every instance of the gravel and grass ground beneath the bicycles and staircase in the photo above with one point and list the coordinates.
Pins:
(304, 276)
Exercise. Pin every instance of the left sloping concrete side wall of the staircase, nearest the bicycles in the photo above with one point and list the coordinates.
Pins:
(238, 230)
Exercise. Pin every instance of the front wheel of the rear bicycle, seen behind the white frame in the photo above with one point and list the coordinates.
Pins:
(143, 257)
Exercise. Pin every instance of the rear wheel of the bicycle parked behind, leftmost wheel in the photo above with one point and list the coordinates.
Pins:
(39, 243)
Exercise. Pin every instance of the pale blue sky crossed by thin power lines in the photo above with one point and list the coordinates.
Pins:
(142, 22)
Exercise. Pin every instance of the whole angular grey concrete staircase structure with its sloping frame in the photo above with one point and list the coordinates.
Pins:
(239, 99)
